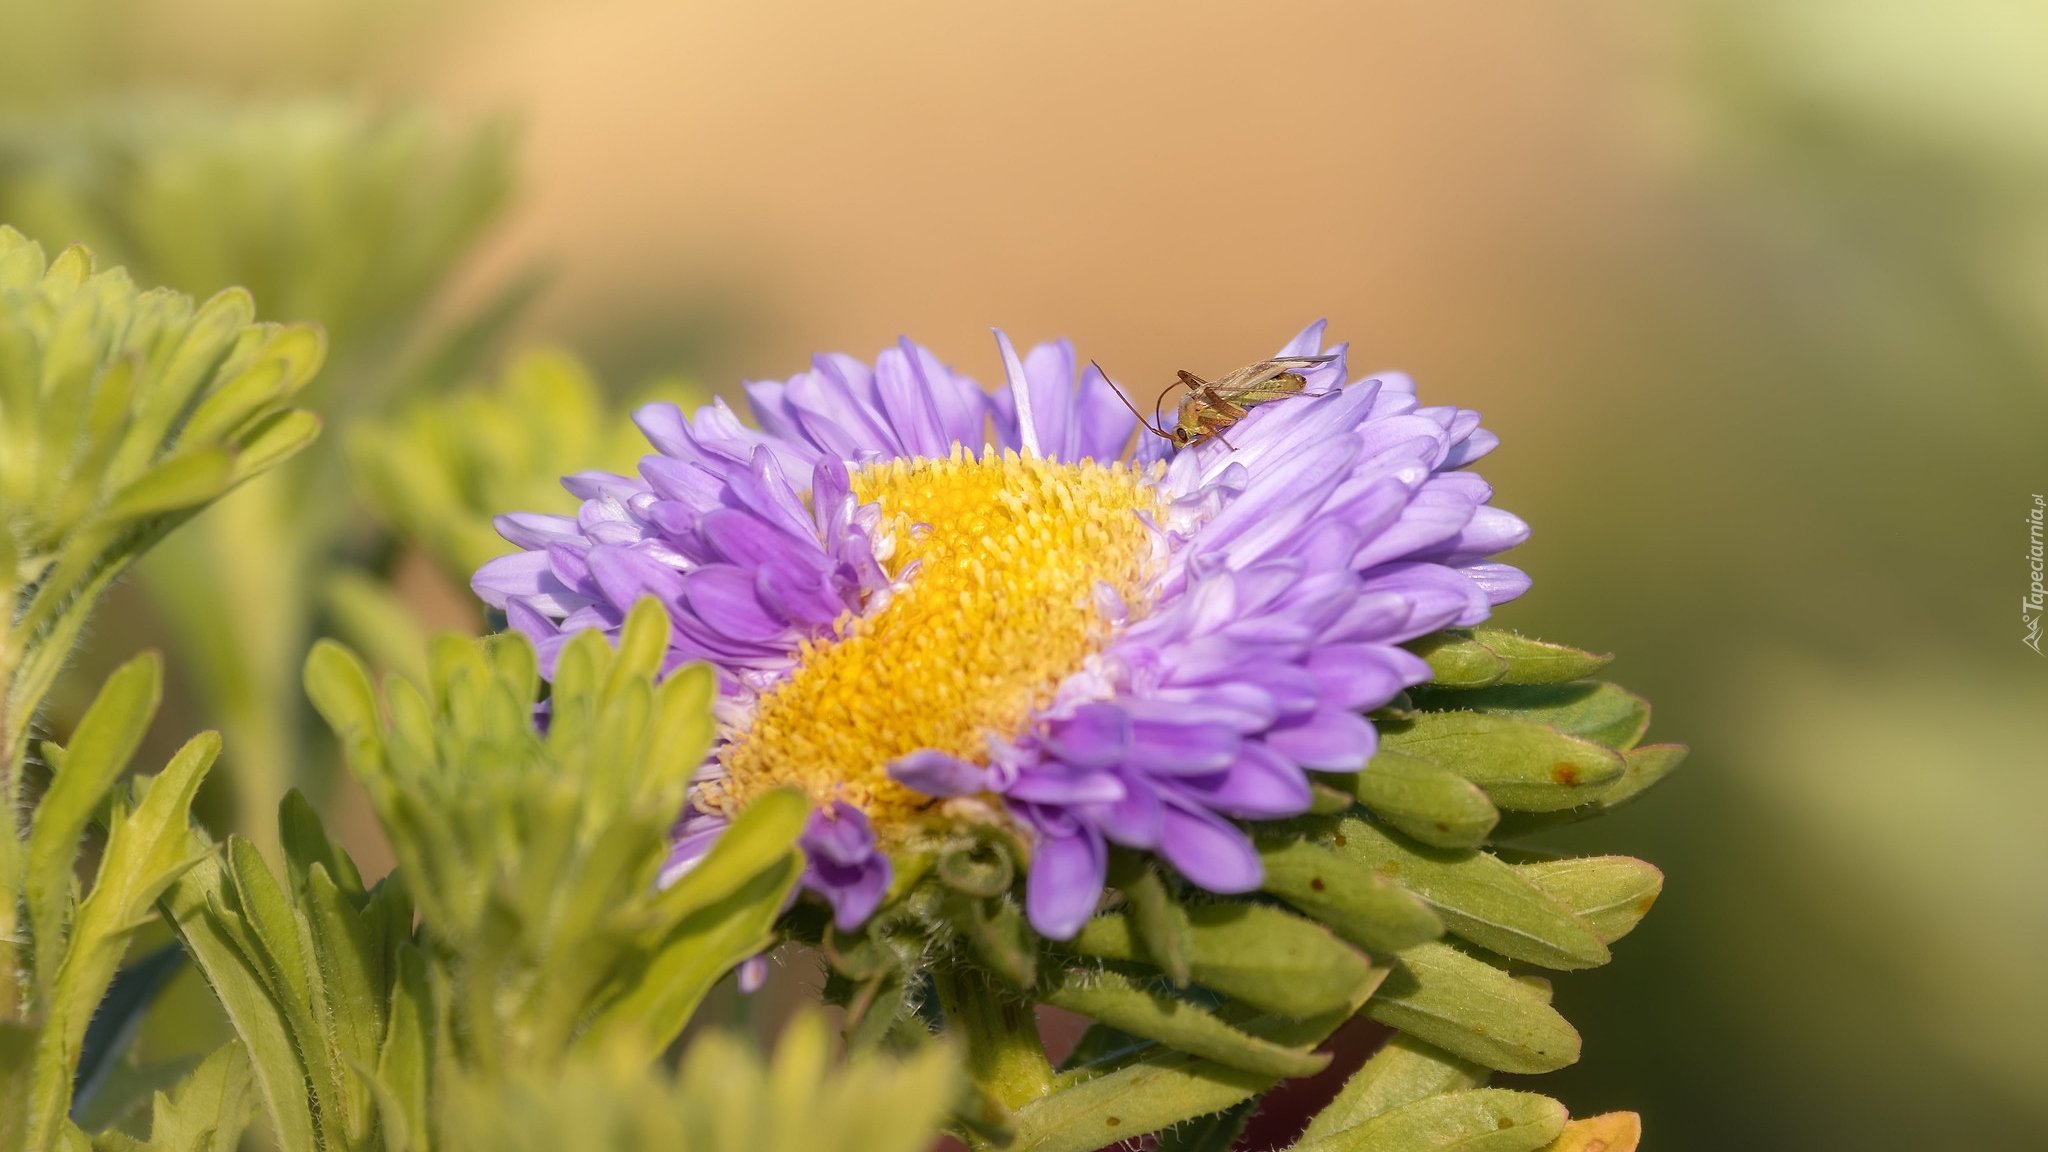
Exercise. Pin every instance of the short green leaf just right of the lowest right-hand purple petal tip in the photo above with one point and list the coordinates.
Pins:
(1349, 897)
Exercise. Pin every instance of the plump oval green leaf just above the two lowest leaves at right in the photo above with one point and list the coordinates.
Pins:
(1474, 1010)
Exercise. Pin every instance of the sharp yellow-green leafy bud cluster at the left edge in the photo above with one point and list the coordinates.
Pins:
(122, 415)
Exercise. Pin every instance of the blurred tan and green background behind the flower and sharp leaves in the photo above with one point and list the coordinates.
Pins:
(1756, 294)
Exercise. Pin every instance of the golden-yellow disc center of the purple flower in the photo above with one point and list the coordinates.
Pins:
(998, 612)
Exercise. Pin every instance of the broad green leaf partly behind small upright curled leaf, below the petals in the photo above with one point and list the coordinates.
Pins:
(1252, 954)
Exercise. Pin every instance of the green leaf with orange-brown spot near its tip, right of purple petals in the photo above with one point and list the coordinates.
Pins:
(1519, 764)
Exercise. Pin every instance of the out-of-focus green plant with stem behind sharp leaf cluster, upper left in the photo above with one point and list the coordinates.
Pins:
(345, 214)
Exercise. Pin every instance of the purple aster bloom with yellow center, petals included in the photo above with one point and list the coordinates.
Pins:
(931, 606)
